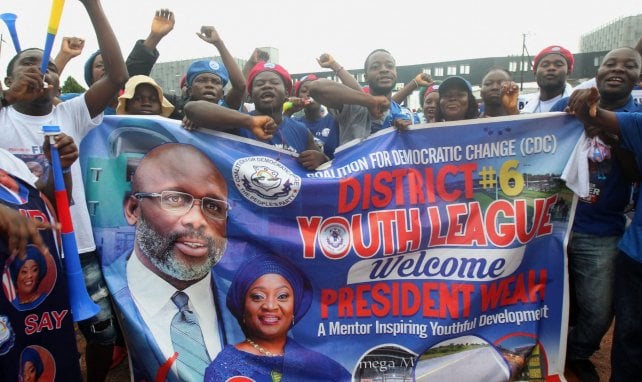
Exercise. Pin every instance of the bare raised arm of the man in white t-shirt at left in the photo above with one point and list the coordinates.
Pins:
(102, 92)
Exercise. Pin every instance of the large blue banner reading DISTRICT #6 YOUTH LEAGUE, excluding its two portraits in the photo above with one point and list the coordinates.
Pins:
(435, 254)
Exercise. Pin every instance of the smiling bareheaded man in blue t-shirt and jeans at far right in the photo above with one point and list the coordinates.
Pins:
(599, 218)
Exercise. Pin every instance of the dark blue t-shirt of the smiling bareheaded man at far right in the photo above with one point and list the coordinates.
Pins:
(602, 212)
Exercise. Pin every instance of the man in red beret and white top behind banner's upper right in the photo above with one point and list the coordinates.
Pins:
(551, 68)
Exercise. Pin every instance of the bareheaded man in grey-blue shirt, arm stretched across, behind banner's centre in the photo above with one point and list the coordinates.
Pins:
(360, 114)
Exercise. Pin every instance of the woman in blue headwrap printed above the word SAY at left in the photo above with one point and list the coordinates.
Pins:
(26, 275)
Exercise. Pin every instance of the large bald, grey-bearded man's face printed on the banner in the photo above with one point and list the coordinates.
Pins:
(182, 246)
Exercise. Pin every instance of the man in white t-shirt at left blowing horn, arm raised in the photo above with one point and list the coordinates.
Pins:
(27, 105)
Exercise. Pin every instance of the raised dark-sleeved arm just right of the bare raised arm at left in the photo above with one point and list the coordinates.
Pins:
(143, 56)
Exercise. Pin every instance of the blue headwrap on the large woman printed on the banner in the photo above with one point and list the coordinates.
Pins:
(264, 264)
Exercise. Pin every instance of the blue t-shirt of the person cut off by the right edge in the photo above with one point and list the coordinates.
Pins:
(631, 133)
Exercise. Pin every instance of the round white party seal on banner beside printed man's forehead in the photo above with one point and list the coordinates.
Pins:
(265, 181)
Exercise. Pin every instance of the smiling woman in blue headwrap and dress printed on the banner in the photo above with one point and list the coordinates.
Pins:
(268, 296)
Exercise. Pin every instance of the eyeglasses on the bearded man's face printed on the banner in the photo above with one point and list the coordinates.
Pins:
(179, 203)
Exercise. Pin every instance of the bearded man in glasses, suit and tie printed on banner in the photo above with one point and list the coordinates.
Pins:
(179, 206)
